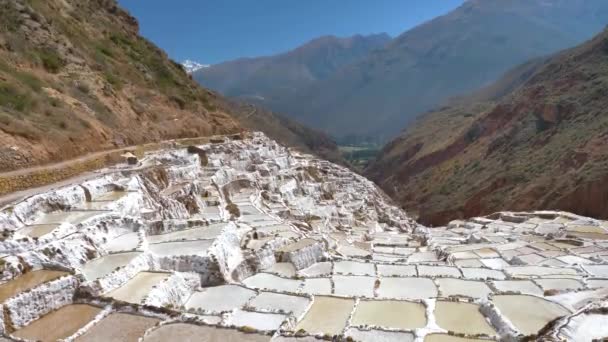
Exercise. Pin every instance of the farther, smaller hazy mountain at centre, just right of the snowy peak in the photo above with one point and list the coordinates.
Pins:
(268, 80)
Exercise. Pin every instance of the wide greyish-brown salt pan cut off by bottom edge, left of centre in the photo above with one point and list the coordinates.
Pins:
(194, 333)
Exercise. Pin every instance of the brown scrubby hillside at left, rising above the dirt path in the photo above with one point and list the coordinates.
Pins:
(76, 77)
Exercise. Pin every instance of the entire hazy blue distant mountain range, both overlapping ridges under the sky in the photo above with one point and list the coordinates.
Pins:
(370, 86)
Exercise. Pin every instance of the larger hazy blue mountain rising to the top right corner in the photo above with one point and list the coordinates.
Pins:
(453, 54)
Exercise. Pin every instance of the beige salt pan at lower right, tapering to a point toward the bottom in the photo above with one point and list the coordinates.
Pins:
(528, 313)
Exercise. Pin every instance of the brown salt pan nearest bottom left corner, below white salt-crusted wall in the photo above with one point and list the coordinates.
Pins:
(58, 324)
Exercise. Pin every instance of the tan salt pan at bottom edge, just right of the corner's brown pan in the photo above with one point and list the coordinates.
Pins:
(119, 327)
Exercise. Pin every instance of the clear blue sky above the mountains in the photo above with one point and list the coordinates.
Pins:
(214, 31)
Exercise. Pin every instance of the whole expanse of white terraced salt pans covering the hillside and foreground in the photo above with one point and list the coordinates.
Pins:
(244, 240)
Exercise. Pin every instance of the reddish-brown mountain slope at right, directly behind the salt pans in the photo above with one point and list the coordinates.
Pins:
(535, 139)
